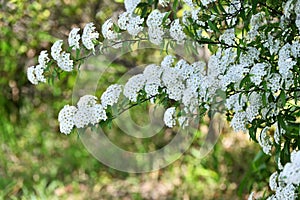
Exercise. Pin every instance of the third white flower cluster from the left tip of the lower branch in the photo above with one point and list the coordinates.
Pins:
(111, 95)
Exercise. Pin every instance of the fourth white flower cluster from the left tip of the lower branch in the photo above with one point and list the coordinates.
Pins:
(133, 86)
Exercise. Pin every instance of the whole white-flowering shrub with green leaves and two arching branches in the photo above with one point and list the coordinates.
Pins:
(255, 63)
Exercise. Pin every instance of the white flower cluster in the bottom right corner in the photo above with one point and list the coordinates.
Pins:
(285, 183)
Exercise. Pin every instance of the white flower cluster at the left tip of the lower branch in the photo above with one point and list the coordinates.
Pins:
(66, 119)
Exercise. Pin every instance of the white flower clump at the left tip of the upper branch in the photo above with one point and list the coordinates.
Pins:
(35, 74)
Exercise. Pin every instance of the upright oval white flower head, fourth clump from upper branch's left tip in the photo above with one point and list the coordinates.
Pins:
(89, 34)
